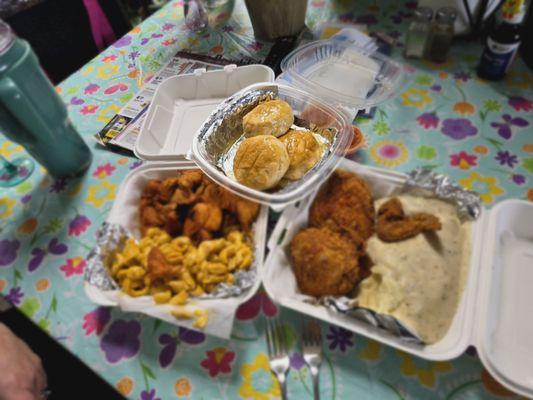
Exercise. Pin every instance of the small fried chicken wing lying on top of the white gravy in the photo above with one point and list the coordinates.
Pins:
(393, 225)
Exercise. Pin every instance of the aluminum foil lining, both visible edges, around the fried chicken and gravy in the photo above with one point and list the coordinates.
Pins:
(421, 182)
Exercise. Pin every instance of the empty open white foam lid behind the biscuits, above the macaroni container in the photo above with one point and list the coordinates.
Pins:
(182, 103)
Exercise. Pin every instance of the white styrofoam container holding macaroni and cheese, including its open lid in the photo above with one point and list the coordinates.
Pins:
(178, 108)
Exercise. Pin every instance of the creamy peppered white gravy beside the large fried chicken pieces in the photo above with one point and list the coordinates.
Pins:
(420, 280)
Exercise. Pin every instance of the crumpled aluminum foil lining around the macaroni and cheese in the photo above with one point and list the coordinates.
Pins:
(112, 237)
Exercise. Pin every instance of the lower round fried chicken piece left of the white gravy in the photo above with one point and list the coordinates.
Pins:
(324, 262)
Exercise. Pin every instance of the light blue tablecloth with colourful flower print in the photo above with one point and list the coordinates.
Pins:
(446, 118)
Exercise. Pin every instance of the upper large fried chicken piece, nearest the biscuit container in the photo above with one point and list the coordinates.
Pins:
(345, 205)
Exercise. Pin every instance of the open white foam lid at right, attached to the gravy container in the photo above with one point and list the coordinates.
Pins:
(503, 328)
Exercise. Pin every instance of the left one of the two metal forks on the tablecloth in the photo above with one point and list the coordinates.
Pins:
(278, 353)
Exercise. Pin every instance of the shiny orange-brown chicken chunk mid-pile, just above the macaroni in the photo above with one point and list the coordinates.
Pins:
(203, 219)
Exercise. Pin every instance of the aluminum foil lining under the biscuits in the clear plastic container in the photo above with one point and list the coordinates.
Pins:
(222, 132)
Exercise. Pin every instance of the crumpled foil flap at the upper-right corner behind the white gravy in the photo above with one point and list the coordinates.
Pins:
(424, 182)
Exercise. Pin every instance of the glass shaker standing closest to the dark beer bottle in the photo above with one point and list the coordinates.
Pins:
(441, 36)
